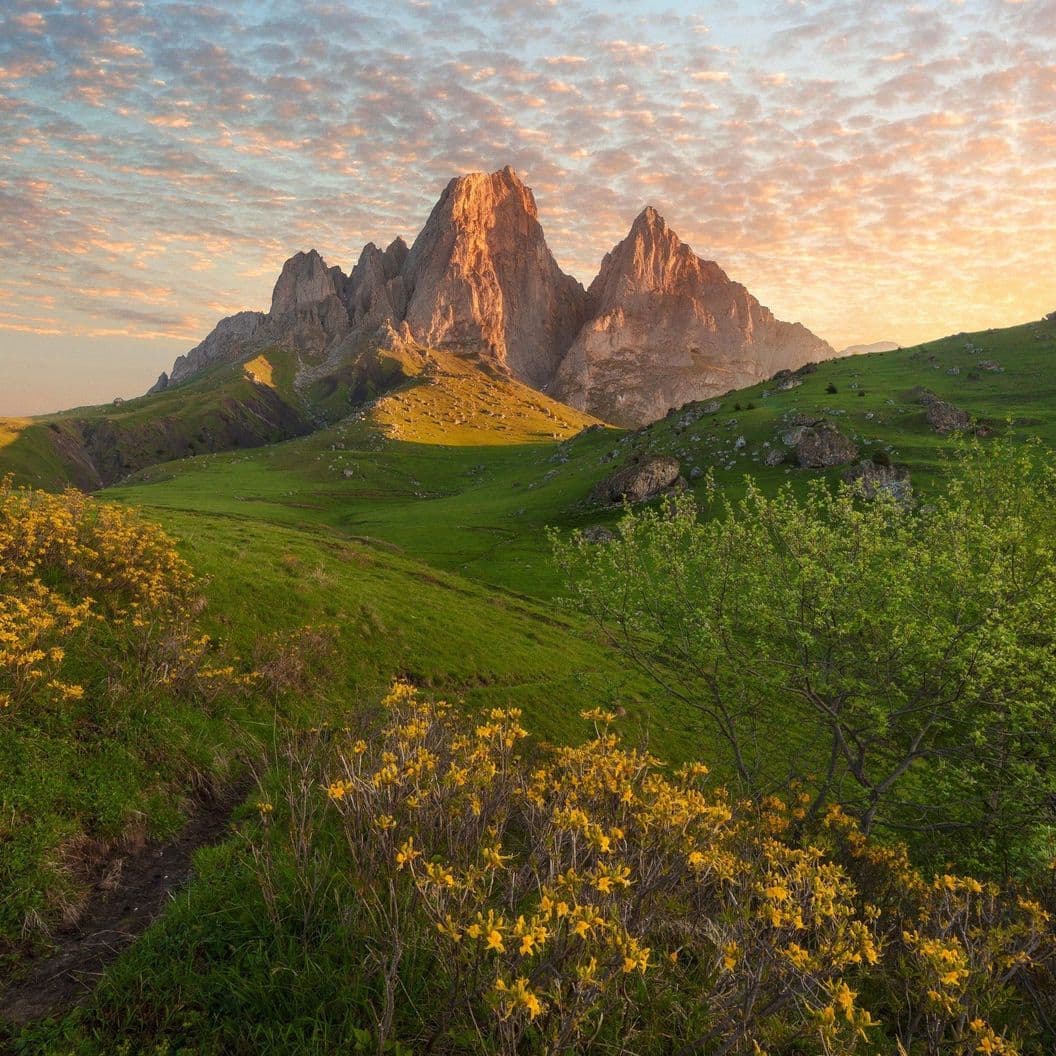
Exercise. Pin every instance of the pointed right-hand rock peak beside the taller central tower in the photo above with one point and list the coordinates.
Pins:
(667, 329)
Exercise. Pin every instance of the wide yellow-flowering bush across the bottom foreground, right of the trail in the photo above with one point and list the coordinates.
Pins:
(584, 897)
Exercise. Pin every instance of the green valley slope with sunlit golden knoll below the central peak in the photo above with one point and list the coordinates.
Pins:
(456, 467)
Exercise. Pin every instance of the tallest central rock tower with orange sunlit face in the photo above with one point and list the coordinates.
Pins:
(481, 276)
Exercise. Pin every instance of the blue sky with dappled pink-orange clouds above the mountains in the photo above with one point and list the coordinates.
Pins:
(875, 171)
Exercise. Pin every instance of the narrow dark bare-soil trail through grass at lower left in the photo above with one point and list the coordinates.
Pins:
(149, 877)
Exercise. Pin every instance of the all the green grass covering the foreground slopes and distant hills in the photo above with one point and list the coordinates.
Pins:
(408, 541)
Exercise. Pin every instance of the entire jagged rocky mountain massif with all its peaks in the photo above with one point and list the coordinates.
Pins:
(657, 328)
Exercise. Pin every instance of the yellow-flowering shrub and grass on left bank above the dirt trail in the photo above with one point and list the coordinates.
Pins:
(105, 678)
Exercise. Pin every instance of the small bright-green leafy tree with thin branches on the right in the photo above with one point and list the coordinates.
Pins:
(901, 664)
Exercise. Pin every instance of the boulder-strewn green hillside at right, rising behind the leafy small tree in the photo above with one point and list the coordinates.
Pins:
(1002, 379)
